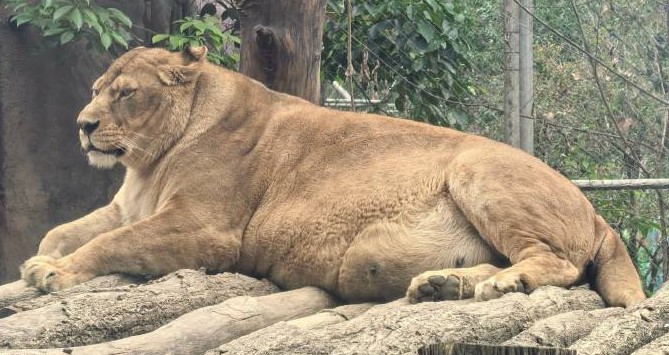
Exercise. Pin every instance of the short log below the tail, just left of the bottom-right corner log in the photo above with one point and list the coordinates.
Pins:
(564, 329)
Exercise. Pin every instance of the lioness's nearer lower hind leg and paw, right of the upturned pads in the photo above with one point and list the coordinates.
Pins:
(527, 275)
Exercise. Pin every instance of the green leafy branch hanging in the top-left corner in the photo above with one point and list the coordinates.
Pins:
(65, 21)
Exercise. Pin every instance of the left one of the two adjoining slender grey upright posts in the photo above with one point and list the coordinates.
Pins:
(511, 76)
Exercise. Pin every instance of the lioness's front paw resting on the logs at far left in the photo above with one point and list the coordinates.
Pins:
(48, 274)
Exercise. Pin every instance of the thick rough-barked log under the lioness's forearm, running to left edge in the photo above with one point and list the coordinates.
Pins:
(102, 316)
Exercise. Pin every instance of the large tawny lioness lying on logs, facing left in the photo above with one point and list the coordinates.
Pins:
(225, 174)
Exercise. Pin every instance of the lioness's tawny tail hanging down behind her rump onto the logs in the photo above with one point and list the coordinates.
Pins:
(615, 277)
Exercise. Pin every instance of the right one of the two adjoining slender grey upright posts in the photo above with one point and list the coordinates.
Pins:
(526, 73)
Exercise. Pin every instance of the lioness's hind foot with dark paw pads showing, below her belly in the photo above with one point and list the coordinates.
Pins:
(448, 284)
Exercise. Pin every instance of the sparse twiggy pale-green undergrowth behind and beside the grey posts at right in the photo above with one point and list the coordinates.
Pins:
(574, 131)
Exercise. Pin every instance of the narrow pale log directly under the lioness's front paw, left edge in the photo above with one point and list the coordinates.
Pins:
(17, 296)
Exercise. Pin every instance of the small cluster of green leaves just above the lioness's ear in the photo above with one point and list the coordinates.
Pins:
(203, 31)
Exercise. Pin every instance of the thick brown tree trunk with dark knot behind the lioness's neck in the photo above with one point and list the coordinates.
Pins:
(281, 44)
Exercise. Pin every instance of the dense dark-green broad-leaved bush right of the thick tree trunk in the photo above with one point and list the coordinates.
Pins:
(414, 48)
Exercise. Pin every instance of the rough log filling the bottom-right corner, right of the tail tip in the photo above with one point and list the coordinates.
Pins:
(623, 334)
